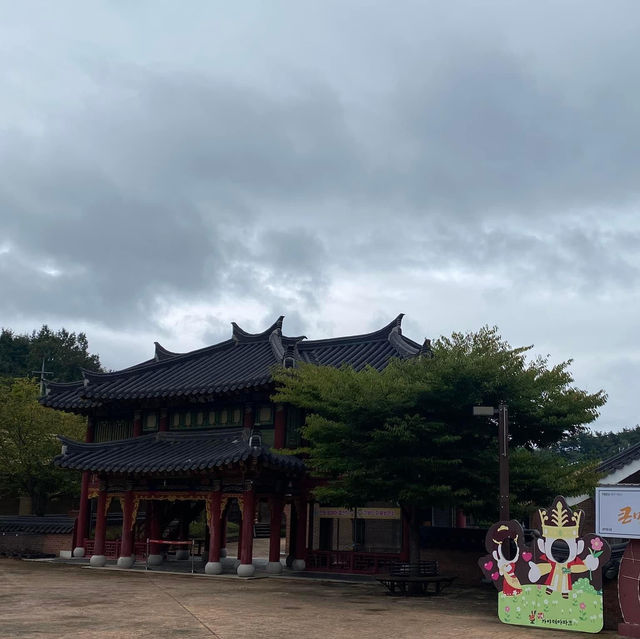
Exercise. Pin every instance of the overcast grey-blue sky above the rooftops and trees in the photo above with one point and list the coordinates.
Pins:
(169, 167)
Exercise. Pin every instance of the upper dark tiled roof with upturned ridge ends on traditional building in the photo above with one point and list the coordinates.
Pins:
(243, 362)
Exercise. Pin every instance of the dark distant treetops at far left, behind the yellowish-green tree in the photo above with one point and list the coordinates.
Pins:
(64, 354)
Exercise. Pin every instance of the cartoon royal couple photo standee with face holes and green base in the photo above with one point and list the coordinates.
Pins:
(555, 582)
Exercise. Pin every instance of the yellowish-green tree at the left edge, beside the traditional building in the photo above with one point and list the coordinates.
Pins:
(28, 444)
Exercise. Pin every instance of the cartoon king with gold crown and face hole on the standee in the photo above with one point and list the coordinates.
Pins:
(560, 561)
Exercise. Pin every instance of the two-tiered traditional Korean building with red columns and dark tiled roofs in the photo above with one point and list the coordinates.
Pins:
(183, 432)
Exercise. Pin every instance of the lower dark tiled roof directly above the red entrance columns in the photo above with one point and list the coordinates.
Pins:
(171, 452)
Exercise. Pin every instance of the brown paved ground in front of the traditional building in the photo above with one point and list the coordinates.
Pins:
(47, 600)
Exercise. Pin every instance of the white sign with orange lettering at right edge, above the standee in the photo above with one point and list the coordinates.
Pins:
(618, 511)
